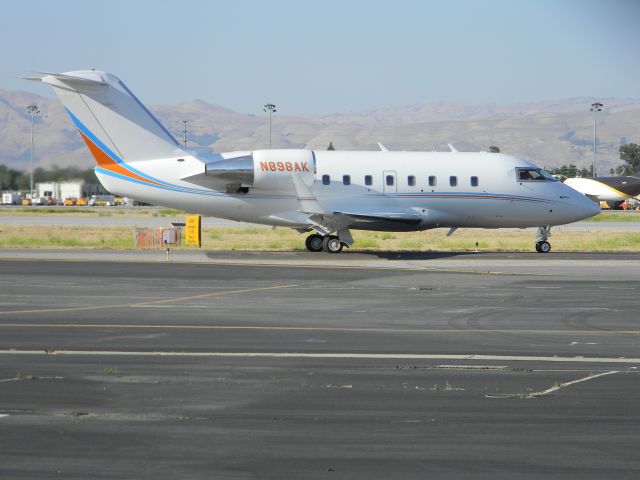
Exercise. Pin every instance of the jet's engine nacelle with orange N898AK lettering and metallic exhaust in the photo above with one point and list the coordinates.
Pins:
(265, 170)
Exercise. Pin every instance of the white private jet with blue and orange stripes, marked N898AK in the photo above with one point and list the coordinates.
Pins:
(329, 192)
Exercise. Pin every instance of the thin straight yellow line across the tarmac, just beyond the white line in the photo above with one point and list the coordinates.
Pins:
(275, 328)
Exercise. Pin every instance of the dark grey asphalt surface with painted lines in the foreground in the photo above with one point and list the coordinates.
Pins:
(312, 366)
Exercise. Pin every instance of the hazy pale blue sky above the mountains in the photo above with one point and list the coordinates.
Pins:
(331, 56)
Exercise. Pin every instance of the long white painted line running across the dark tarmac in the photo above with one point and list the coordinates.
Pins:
(345, 355)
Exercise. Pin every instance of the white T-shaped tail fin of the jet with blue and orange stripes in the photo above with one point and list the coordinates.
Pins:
(115, 125)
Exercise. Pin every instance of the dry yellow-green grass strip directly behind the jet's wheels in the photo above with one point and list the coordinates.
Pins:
(283, 239)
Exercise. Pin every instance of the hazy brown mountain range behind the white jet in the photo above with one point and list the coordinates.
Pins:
(548, 133)
